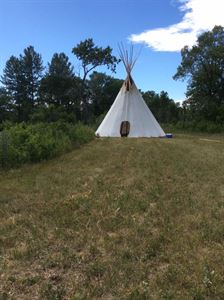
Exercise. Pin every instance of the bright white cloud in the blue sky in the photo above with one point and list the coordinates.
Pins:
(200, 15)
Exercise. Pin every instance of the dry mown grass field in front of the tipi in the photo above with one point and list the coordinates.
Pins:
(116, 219)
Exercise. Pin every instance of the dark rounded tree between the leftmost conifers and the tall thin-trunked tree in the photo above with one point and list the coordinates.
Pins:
(60, 89)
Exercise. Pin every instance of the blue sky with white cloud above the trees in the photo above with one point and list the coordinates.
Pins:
(163, 27)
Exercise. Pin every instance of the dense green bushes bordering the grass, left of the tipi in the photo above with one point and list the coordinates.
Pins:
(23, 143)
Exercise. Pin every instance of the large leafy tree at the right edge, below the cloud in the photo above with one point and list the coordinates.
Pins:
(203, 67)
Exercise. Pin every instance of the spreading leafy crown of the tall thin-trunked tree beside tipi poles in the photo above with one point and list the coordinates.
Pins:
(92, 56)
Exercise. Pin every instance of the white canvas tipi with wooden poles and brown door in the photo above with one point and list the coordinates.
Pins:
(129, 115)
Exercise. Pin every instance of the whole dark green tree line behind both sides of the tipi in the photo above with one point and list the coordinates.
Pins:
(32, 92)
